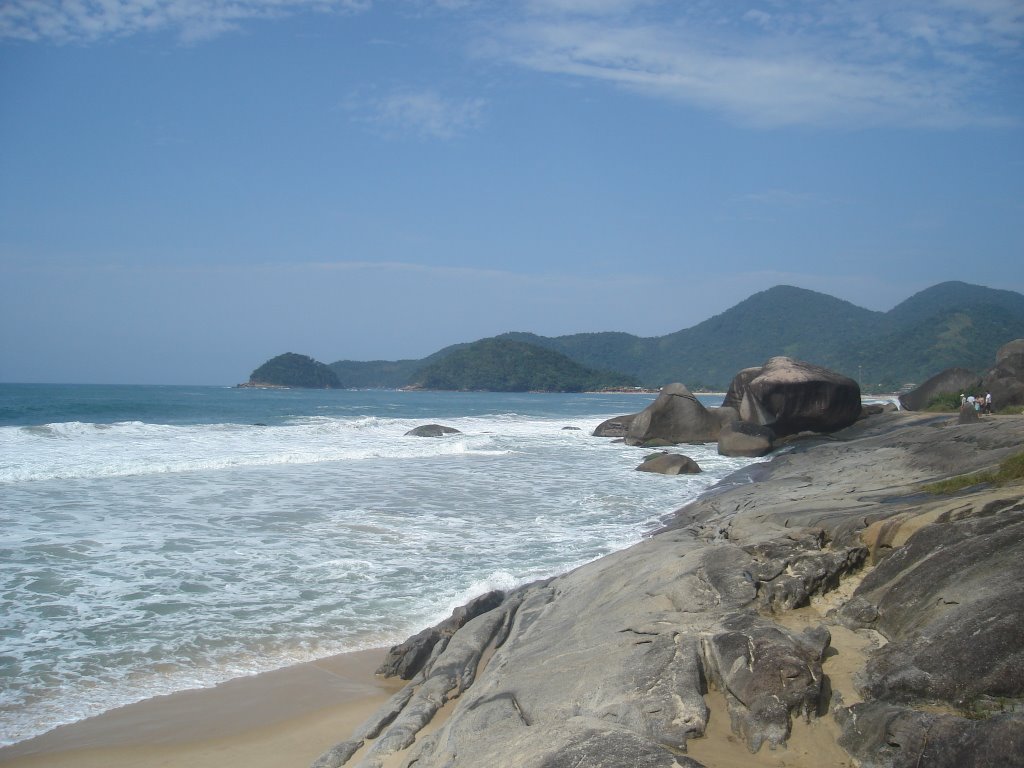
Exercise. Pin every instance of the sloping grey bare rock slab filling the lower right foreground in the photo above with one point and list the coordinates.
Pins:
(824, 593)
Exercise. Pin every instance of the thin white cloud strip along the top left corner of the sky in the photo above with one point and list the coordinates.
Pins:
(89, 21)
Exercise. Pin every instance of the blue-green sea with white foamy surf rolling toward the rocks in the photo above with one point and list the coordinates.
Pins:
(159, 539)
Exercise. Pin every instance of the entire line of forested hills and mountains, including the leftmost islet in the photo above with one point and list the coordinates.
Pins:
(951, 324)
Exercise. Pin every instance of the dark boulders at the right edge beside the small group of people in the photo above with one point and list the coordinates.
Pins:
(1005, 381)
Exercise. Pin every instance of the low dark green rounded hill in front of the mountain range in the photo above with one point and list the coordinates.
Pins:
(502, 365)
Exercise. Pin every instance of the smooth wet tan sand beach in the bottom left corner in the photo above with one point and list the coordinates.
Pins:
(279, 719)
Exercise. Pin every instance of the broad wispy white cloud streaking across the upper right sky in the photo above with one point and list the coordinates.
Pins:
(773, 64)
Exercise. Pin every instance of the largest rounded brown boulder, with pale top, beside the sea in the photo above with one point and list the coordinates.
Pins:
(791, 397)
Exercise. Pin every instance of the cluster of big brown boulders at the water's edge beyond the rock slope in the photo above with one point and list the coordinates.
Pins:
(783, 398)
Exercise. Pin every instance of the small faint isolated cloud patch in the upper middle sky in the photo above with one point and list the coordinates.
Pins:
(423, 113)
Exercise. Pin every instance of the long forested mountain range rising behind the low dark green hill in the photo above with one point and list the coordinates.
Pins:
(952, 324)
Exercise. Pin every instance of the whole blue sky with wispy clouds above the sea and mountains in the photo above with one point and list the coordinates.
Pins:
(189, 188)
